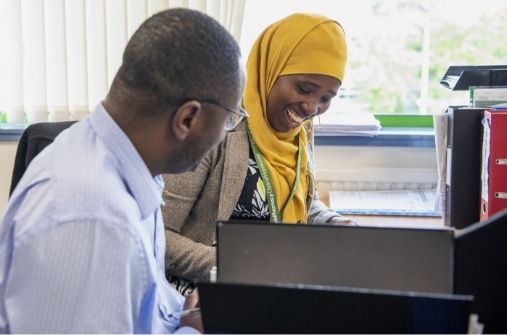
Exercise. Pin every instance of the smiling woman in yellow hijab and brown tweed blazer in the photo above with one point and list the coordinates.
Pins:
(263, 169)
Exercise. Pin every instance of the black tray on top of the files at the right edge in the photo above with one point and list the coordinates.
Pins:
(460, 78)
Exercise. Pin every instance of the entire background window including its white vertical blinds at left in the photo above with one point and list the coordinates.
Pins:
(62, 54)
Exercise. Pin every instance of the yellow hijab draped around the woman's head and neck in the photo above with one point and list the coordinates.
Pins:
(297, 44)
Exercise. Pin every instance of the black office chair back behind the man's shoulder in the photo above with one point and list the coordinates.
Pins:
(34, 139)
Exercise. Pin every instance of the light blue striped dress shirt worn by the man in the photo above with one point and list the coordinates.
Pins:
(82, 240)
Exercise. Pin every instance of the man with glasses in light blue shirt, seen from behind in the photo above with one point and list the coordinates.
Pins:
(82, 240)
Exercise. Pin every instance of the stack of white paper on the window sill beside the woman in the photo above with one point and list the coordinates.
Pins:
(348, 124)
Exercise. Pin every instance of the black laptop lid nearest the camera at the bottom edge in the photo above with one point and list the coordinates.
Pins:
(307, 309)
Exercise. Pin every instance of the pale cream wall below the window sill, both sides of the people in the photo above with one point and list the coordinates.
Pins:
(338, 167)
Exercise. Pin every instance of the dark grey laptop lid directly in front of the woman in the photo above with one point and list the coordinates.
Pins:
(401, 259)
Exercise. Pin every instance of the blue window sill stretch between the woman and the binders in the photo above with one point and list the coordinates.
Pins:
(423, 137)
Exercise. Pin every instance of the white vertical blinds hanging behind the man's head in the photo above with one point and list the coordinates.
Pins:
(59, 57)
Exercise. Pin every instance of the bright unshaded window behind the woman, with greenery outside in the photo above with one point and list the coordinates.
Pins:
(400, 49)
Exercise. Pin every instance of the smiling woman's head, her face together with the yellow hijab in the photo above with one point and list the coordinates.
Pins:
(297, 45)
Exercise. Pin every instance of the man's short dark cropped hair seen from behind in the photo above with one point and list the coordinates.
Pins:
(180, 54)
